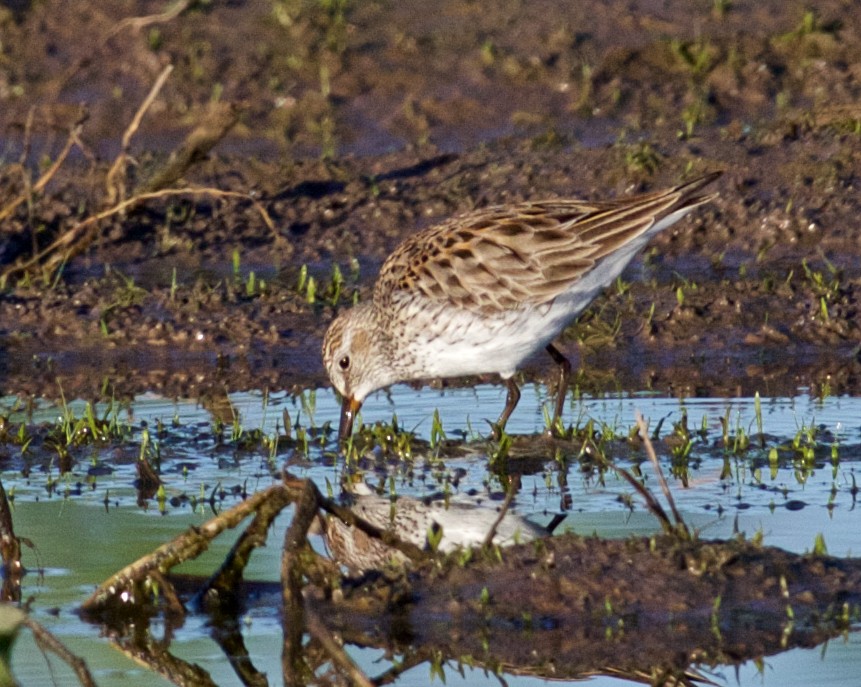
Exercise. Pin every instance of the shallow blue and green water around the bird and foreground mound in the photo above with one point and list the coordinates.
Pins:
(790, 504)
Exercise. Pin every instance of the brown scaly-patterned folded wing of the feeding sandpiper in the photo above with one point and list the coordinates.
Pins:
(501, 258)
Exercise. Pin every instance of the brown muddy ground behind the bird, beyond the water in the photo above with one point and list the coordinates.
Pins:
(363, 122)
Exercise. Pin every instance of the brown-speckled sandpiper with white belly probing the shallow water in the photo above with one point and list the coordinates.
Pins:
(481, 292)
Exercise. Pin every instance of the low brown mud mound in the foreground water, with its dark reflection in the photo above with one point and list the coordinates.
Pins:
(571, 607)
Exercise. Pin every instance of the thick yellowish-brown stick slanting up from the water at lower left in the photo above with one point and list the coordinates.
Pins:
(187, 545)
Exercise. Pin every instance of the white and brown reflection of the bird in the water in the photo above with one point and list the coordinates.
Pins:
(456, 524)
